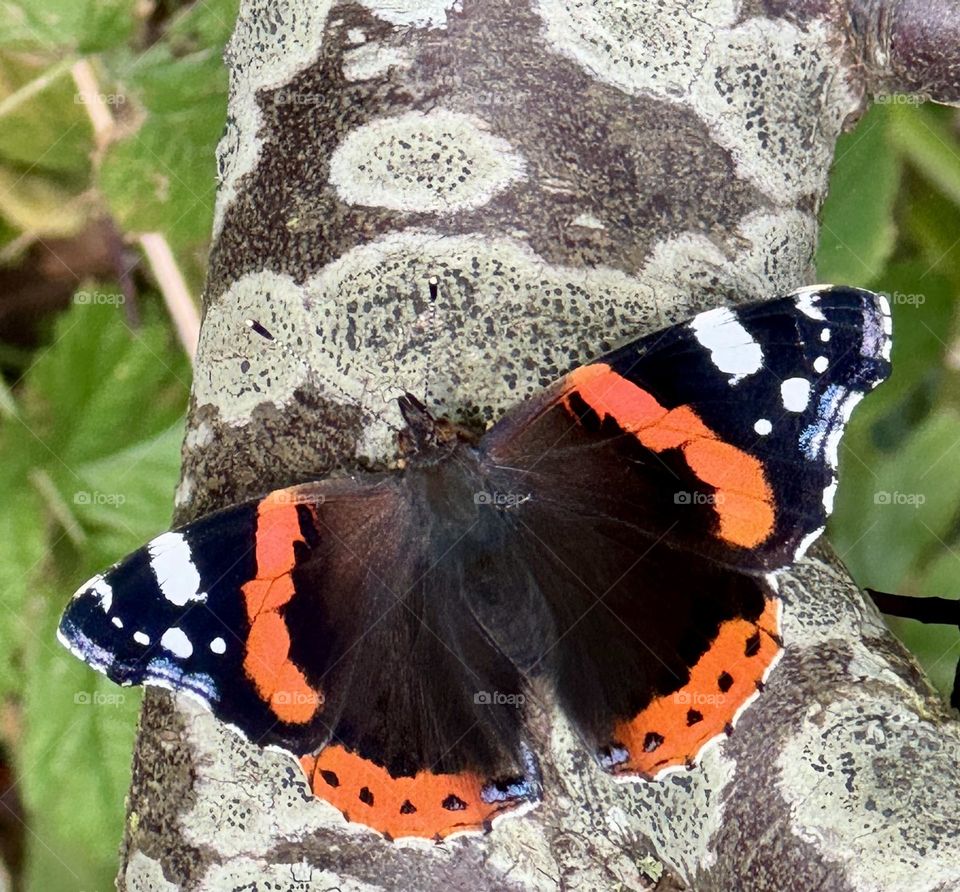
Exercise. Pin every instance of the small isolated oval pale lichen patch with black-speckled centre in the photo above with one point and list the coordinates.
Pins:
(439, 161)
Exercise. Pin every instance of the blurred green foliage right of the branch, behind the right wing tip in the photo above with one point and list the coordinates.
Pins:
(892, 223)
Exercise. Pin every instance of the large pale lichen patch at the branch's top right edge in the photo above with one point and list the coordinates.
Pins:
(741, 79)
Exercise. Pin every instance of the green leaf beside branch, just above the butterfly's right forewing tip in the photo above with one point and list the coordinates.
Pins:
(857, 222)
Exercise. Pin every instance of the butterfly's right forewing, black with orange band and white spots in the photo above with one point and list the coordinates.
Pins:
(727, 425)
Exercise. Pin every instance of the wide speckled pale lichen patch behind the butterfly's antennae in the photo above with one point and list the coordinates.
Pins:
(366, 324)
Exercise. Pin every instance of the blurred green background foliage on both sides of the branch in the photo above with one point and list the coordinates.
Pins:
(91, 416)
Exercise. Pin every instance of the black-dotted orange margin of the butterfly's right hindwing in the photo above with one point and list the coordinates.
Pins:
(672, 730)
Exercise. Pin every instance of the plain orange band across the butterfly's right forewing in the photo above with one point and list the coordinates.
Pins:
(744, 501)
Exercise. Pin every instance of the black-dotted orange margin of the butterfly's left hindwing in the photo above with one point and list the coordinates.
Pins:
(427, 805)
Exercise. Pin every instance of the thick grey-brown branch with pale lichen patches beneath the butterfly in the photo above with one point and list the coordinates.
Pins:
(574, 173)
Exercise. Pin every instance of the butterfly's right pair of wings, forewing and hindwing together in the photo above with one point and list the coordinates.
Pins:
(653, 502)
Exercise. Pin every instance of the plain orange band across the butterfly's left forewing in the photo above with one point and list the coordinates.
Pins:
(267, 659)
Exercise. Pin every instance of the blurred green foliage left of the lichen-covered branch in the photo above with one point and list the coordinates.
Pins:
(91, 418)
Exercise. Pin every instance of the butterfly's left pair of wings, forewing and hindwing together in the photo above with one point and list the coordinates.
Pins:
(305, 621)
